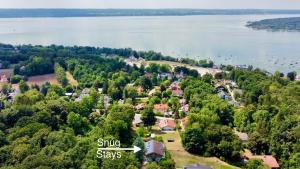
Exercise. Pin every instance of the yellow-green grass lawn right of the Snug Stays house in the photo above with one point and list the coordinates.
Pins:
(182, 157)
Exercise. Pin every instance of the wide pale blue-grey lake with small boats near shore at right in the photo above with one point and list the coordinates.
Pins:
(221, 38)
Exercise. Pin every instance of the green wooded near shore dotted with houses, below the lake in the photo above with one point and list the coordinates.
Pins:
(58, 125)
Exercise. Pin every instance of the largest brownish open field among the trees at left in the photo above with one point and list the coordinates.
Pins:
(42, 79)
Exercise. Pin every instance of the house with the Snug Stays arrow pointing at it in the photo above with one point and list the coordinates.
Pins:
(154, 151)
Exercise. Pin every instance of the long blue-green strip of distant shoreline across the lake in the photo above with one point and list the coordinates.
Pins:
(29, 13)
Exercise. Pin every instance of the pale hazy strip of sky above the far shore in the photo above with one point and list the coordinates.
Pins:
(201, 4)
